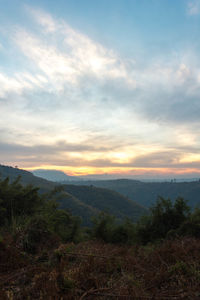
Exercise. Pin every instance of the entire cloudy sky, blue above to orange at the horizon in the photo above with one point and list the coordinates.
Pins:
(101, 87)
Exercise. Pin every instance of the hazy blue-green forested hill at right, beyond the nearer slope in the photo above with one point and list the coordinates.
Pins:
(146, 193)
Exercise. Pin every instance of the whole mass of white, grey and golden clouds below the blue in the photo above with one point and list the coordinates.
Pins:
(77, 103)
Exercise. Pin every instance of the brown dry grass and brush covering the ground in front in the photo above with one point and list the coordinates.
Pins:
(93, 270)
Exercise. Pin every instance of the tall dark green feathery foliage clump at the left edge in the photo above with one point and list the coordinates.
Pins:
(35, 216)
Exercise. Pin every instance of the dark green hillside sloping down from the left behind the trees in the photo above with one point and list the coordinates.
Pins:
(84, 201)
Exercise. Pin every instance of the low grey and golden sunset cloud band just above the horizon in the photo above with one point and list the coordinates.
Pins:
(100, 157)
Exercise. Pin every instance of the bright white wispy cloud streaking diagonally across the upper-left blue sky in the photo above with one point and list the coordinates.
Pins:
(76, 56)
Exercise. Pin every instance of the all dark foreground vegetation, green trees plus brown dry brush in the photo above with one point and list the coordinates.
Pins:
(46, 254)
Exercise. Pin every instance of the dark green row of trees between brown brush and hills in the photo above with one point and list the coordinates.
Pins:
(33, 217)
